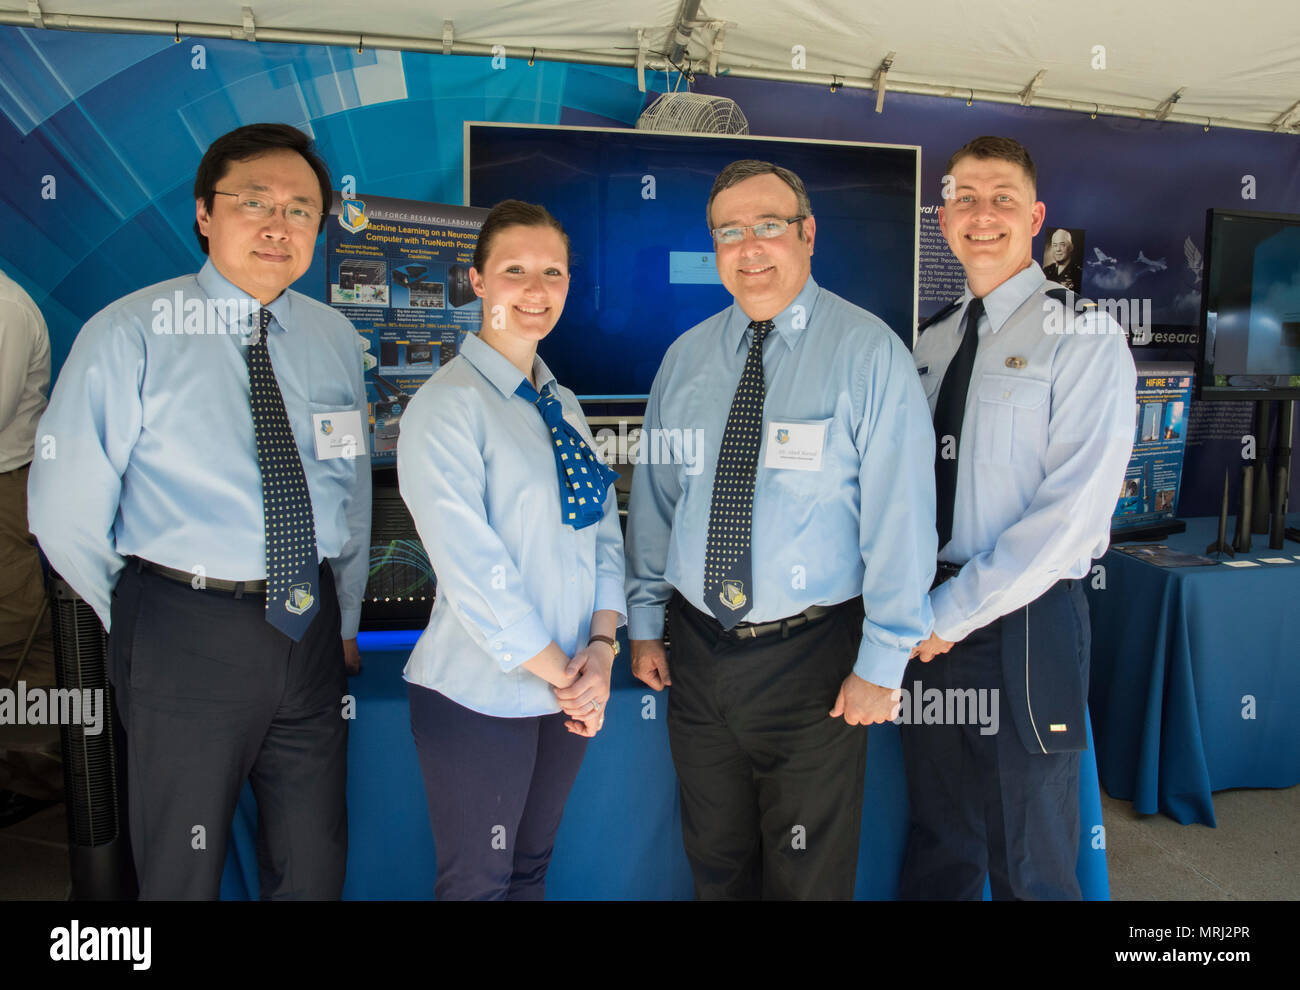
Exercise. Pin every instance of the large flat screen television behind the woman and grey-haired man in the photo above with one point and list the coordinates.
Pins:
(643, 259)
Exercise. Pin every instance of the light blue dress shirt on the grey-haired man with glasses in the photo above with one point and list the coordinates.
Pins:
(861, 526)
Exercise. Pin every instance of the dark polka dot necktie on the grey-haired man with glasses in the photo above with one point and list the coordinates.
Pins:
(729, 568)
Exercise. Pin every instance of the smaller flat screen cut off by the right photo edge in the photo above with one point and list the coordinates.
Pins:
(1251, 307)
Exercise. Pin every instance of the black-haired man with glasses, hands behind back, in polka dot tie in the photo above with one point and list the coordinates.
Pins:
(209, 493)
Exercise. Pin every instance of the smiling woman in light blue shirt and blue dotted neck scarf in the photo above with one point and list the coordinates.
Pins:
(517, 513)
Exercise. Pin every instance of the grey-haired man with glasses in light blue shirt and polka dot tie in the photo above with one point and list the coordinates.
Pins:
(794, 568)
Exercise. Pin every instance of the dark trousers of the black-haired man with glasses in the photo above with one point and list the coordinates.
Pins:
(213, 696)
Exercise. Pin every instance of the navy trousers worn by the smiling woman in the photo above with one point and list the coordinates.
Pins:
(497, 791)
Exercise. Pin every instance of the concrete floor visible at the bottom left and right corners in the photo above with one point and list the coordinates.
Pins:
(1253, 856)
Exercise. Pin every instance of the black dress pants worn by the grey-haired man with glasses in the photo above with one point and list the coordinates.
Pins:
(772, 785)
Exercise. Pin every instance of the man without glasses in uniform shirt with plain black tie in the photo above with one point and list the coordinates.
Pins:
(1033, 429)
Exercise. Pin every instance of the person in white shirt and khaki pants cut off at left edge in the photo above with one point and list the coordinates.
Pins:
(31, 757)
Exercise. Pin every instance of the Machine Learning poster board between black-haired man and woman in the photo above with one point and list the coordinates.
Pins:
(400, 271)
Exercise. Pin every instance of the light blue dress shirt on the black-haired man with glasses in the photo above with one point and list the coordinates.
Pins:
(148, 448)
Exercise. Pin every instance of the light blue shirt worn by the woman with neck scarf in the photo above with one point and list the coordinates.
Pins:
(476, 470)
